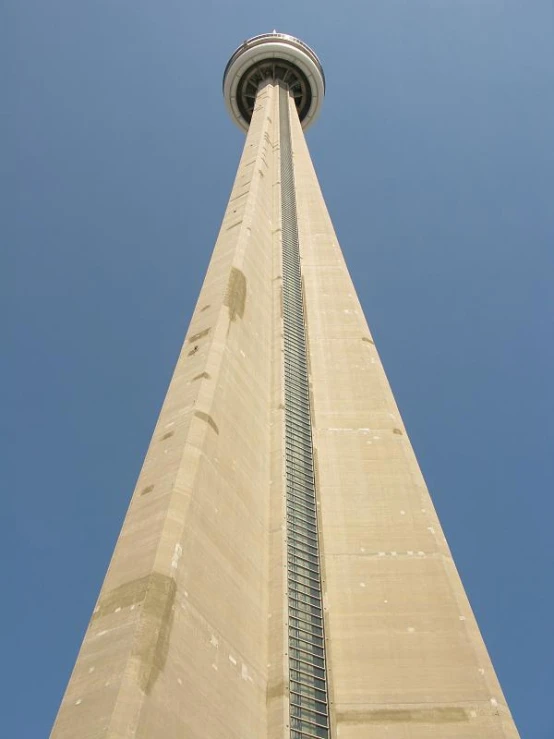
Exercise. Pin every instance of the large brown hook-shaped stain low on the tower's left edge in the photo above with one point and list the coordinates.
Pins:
(156, 595)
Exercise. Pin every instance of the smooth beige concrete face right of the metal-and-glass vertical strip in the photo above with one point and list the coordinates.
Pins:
(405, 656)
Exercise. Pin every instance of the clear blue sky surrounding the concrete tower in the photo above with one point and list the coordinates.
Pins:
(435, 150)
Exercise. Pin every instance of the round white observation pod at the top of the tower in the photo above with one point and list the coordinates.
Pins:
(275, 56)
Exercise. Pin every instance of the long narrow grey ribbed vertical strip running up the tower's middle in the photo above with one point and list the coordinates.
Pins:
(309, 708)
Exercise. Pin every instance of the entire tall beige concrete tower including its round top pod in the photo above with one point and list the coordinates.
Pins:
(281, 572)
